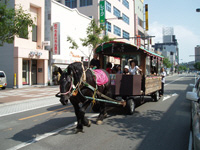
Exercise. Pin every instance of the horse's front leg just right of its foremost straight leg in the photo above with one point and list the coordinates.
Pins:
(84, 120)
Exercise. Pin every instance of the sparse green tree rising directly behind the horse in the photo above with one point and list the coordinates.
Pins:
(93, 38)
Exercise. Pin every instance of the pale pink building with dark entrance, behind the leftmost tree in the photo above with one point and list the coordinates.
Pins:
(26, 57)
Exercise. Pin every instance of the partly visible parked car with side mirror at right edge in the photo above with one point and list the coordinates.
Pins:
(194, 96)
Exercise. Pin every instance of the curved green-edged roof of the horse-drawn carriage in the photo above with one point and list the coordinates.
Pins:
(116, 48)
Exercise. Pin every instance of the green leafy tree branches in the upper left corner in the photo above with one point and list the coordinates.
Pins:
(13, 22)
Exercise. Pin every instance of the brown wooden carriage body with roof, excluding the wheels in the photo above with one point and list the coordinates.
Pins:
(132, 85)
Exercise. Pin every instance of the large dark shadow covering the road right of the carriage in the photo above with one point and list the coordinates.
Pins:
(159, 129)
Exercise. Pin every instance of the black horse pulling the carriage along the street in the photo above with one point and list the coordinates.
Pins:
(71, 79)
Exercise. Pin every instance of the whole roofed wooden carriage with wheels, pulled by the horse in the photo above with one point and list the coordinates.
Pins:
(147, 83)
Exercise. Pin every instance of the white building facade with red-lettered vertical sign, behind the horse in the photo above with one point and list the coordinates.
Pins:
(62, 22)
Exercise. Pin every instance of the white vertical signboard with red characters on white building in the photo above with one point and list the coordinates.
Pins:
(56, 38)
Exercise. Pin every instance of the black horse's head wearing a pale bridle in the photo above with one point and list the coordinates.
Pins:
(66, 83)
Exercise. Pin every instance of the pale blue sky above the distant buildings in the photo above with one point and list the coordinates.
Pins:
(182, 16)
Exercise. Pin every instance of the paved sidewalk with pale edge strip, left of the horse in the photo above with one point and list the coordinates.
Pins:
(20, 100)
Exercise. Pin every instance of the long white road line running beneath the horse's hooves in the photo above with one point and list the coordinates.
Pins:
(24, 144)
